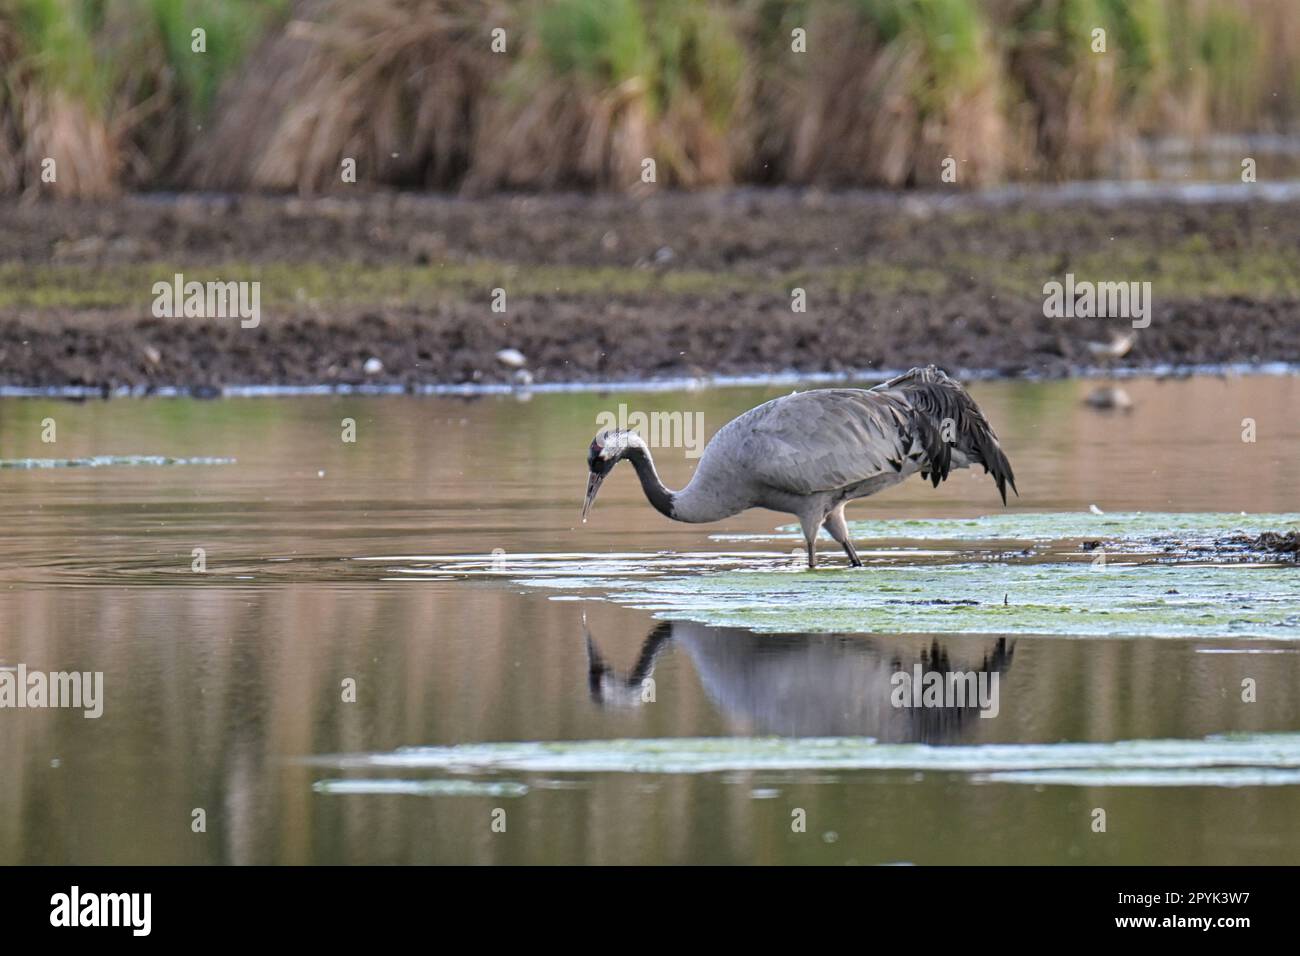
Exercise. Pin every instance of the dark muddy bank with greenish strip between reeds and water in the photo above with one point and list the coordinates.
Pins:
(398, 289)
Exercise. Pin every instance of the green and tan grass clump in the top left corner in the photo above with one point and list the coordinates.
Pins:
(111, 90)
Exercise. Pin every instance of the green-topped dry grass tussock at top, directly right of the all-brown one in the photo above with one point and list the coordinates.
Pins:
(604, 85)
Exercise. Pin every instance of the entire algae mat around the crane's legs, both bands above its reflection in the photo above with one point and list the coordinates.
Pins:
(1107, 591)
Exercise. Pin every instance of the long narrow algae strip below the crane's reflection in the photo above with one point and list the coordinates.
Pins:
(1204, 760)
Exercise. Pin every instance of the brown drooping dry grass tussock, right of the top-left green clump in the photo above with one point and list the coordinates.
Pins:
(395, 86)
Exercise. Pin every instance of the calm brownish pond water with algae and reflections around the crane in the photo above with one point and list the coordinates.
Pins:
(500, 648)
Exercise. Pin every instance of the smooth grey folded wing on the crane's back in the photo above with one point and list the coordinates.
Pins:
(821, 442)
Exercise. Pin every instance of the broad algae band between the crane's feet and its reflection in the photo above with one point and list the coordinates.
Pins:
(1008, 599)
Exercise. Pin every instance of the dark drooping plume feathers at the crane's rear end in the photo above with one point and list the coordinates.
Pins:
(946, 417)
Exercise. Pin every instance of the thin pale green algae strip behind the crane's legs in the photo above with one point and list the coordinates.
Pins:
(1030, 526)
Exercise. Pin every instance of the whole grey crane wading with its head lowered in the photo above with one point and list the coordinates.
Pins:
(811, 453)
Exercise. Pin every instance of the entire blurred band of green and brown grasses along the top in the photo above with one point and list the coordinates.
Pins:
(586, 90)
